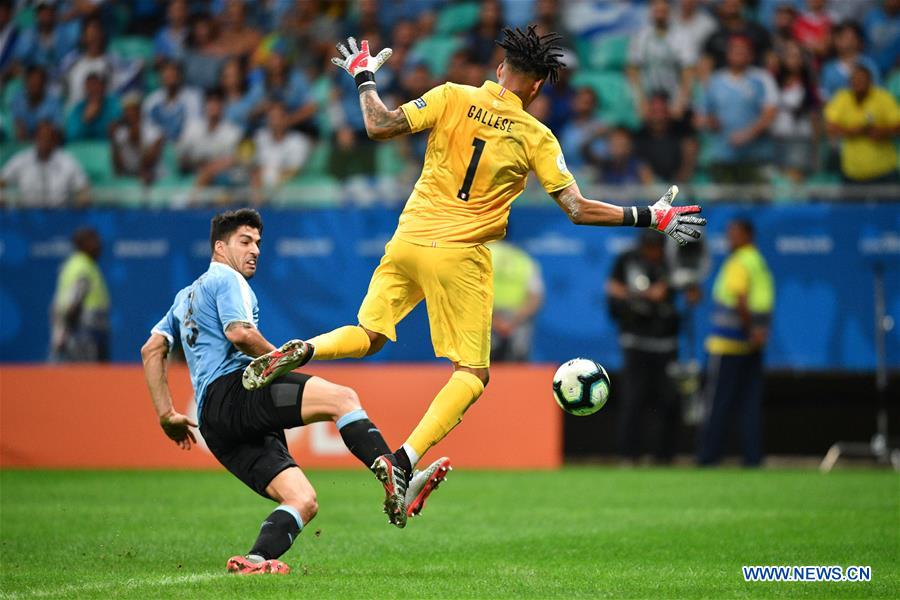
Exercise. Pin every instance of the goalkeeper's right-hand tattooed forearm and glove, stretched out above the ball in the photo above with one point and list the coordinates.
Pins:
(677, 222)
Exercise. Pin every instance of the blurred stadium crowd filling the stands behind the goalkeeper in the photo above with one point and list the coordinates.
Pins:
(235, 96)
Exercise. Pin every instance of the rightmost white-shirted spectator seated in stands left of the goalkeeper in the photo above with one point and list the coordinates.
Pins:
(280, 152)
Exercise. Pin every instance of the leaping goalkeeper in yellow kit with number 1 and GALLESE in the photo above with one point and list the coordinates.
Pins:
(480, 150)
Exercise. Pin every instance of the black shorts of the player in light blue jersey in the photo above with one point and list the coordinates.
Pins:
(245, 429)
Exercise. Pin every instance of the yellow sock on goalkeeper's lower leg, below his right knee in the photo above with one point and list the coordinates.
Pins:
(446, 411)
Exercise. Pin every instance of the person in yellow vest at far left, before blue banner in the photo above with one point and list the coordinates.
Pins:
(80, 310)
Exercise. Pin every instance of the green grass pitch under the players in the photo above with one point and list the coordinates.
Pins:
(578, 532)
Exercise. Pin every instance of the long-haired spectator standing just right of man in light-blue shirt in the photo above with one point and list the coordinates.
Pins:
(796, 125)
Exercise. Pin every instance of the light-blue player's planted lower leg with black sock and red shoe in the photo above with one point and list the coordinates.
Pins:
(280, 529)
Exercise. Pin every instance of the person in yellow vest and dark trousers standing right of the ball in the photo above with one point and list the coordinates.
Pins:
(743, 297)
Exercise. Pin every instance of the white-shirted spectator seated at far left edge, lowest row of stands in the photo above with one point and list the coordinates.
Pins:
(46, 175)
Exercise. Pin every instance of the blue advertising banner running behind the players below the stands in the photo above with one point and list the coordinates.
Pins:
(315, 268)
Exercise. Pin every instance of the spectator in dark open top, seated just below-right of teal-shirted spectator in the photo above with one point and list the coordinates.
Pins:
(136, 144)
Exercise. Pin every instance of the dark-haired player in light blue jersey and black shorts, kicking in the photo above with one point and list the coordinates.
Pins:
(215, 320)
